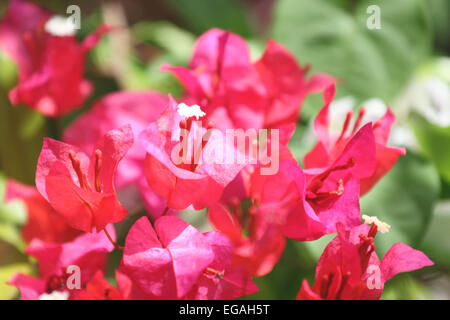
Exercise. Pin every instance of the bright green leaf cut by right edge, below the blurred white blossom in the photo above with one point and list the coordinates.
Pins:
(434, 141)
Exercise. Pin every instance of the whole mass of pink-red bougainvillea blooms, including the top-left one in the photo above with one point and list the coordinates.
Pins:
(126, 143)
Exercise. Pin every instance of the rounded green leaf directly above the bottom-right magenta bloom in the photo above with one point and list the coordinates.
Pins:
(404, 198)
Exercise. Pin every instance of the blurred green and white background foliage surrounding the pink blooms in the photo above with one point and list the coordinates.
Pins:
(405, 64)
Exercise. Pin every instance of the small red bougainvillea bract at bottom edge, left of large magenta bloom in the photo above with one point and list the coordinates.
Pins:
(99, 289)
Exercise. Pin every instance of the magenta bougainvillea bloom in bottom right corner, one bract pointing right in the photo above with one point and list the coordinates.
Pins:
(349, 268)
